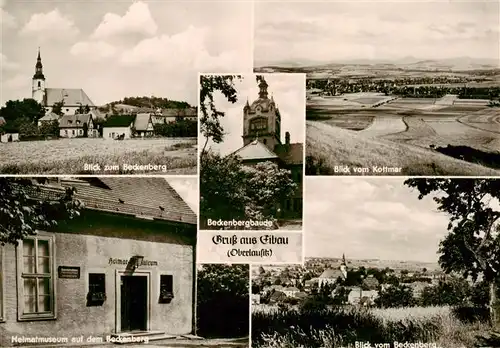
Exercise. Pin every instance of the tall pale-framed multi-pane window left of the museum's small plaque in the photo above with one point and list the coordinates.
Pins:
(35, 289)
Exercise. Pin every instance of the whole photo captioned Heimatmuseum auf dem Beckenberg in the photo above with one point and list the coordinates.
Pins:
(106, 260)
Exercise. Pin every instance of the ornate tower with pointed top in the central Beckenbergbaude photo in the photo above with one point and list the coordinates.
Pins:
(262, 119)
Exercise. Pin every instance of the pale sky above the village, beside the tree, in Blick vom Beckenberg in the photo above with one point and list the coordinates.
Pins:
(370, 218)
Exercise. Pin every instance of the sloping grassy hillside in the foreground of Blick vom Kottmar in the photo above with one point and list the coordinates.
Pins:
(327, 147)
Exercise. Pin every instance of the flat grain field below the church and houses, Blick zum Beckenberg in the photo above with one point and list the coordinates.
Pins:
(70, 156)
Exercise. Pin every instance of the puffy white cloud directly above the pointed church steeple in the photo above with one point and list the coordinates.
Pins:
(50, 26)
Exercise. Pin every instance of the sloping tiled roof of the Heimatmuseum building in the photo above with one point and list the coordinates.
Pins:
(148, 198)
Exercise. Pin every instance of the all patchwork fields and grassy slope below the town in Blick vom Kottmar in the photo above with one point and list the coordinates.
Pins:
(402, 133)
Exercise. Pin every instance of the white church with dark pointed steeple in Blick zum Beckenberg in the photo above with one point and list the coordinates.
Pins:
(72, 99)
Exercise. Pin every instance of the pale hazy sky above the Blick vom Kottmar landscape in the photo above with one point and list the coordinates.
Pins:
(387, 30)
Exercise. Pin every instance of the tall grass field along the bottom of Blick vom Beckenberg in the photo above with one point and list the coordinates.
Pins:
(342, 327)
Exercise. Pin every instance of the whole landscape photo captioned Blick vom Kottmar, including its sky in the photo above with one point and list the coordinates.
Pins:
(393, 87)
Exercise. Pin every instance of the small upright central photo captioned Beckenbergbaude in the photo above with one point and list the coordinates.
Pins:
(252, 130)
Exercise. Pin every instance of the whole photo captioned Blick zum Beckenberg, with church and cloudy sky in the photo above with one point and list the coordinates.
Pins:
(110, 87)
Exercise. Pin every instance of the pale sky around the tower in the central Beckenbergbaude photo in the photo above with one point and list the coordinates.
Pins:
(288, 91)
